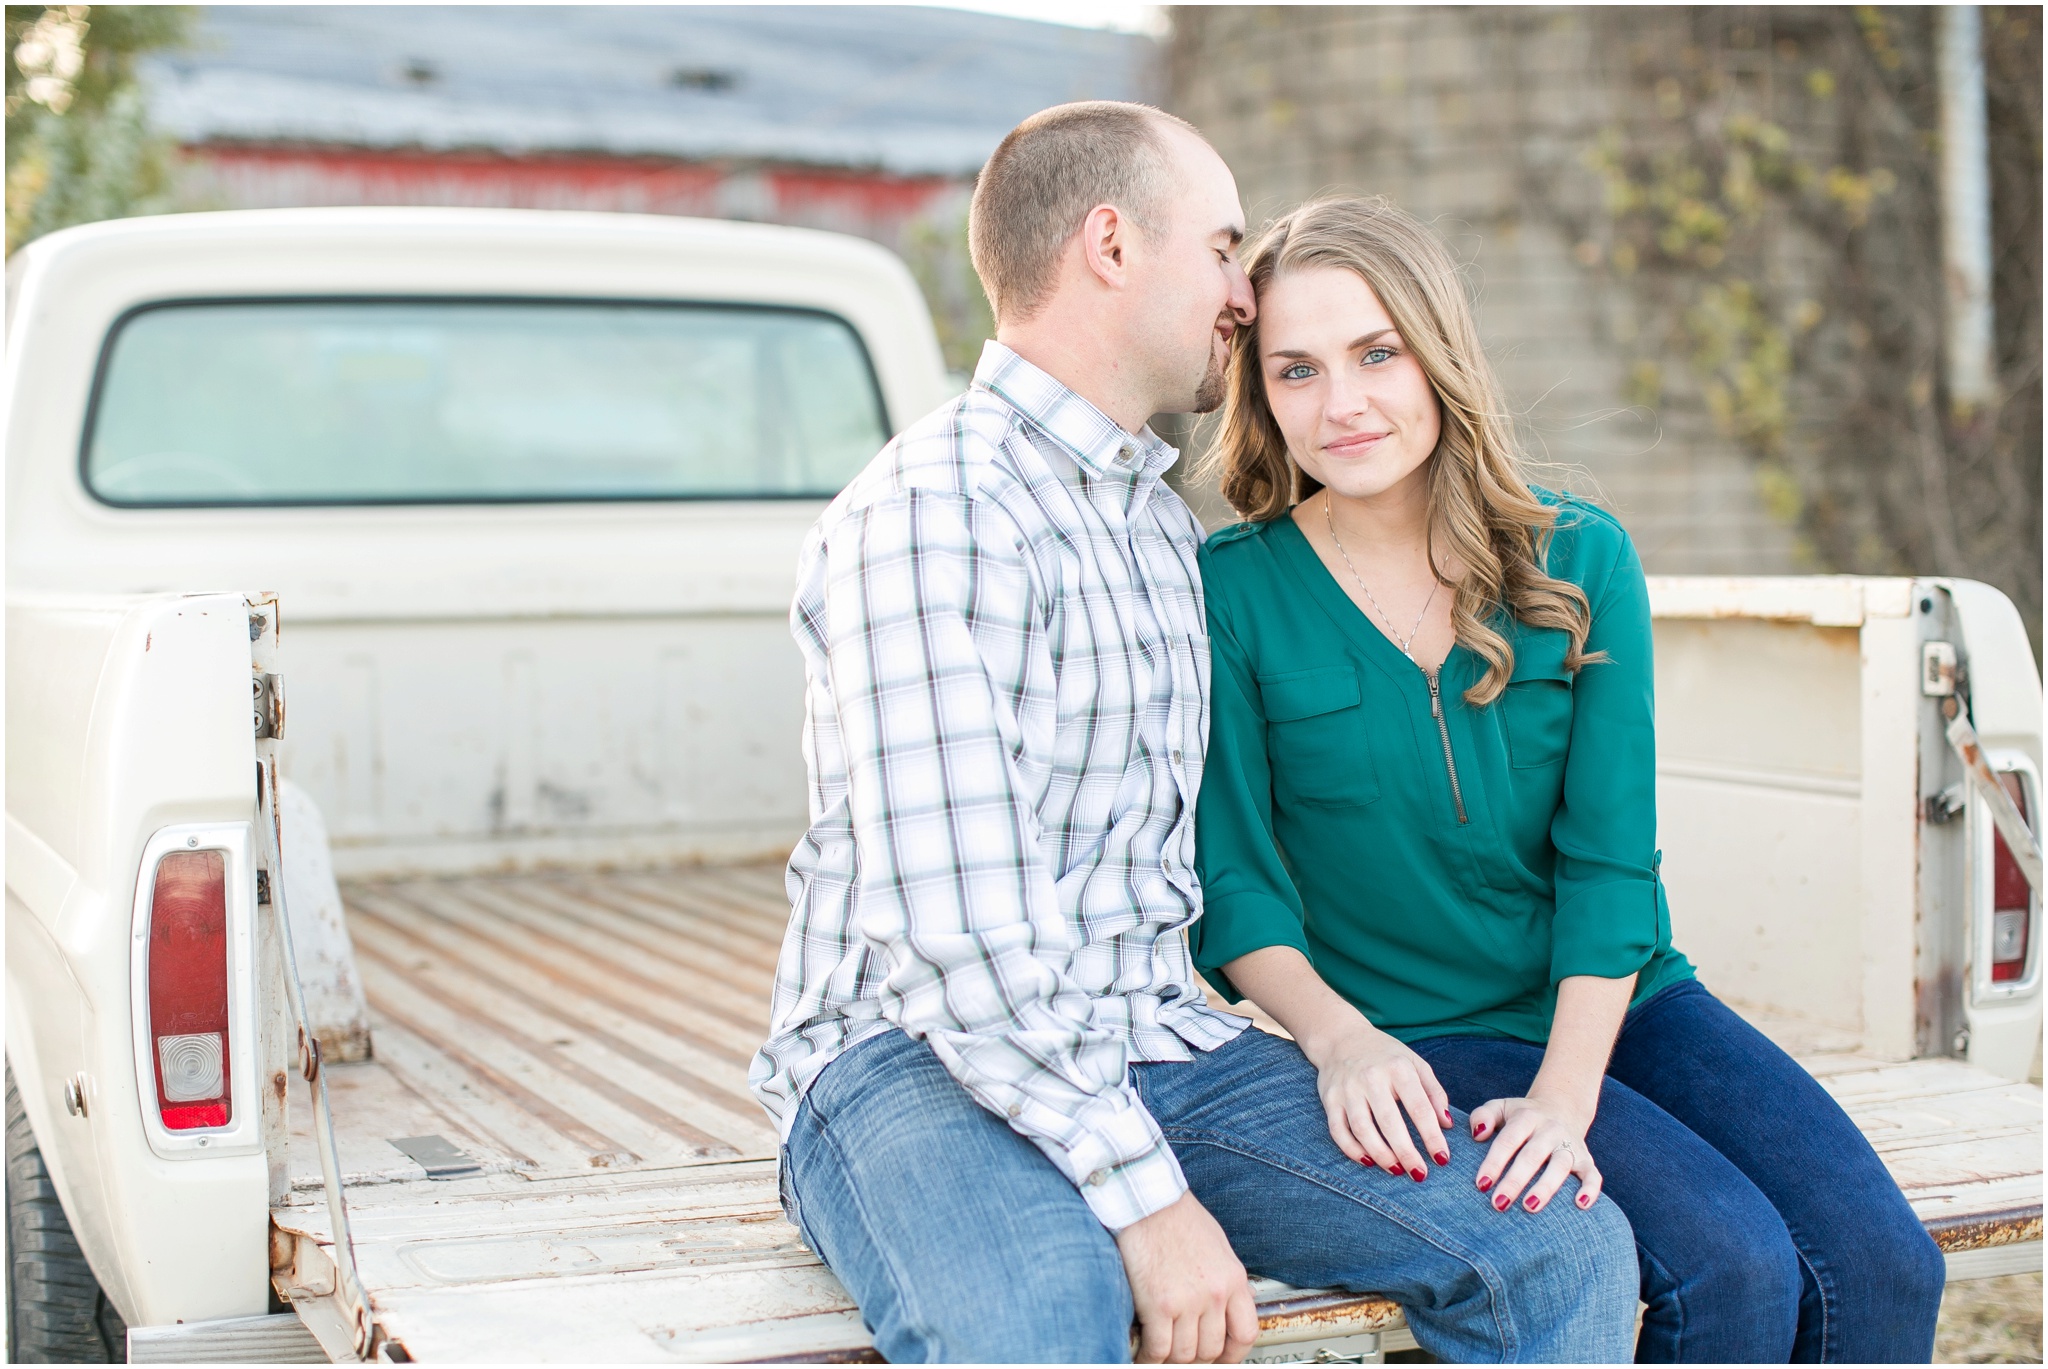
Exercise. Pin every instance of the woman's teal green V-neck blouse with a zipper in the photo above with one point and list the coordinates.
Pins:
(1443, 886)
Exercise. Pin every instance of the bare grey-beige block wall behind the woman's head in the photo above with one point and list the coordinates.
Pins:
(1476, 120)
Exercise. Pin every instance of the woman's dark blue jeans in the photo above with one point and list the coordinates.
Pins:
(1766, 1227)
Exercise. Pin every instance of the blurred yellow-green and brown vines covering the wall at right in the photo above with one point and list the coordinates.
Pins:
(1773, 208)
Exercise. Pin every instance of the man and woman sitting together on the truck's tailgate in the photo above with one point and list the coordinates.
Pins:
(1379, 759)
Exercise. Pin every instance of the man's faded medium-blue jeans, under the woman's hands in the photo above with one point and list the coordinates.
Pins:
(962, 1241)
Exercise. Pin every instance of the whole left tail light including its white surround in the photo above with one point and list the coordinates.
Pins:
(194, 1001)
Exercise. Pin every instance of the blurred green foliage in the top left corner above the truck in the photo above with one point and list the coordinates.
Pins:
(79, 144)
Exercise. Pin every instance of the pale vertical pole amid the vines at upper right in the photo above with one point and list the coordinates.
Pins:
(1973, 374)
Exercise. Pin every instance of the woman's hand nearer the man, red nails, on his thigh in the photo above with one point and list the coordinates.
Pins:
(1367, 1081)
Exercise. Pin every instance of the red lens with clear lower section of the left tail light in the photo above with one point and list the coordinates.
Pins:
(189, 989)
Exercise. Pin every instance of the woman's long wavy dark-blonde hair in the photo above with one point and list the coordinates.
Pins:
(1480, 501)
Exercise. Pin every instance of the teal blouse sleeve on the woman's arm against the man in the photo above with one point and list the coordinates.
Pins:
(1248, 899)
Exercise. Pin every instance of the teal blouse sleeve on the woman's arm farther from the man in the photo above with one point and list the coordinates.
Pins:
(1607, 825)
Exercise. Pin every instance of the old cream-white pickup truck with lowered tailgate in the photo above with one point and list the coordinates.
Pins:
(413, 1022)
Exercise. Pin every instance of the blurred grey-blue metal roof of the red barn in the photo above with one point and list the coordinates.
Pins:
(910, 91)
